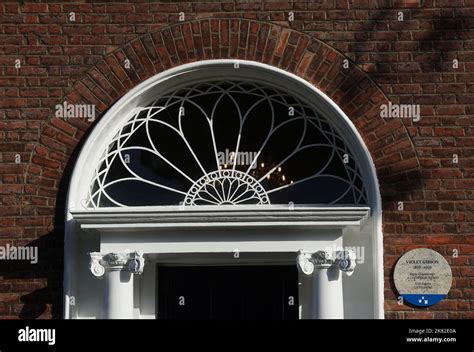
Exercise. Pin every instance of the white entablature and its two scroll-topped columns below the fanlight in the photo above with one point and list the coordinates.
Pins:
(320, 229)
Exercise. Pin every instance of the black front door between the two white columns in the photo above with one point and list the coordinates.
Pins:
(228, 292)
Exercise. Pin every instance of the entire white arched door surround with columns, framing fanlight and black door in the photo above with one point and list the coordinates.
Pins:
(120, 243)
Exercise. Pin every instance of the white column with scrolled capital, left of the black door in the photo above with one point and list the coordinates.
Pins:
(118, 269)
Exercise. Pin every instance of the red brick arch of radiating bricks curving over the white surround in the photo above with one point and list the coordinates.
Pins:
(352, 89)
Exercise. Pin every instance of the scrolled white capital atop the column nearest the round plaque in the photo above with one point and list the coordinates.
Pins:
(344, 260)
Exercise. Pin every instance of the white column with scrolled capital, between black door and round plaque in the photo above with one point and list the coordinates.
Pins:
(324, 271)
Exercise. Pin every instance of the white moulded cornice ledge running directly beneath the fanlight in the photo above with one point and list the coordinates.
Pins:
(219, 217)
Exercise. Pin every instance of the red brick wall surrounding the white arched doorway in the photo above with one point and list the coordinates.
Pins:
(409, 61)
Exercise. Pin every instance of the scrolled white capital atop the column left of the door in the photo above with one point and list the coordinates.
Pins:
(131, 261)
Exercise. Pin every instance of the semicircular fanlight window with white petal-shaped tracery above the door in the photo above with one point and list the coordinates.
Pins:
(227, 143)
